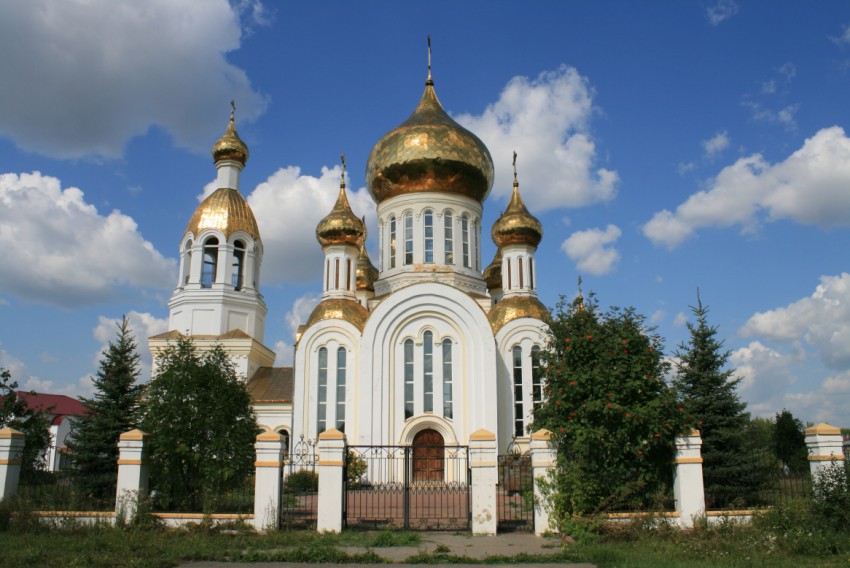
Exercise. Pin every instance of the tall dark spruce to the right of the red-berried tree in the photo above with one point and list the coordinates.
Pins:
(709, 389)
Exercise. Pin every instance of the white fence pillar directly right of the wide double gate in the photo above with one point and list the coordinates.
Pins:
(485, 474)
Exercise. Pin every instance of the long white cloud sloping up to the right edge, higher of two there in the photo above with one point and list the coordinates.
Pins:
(809, 187)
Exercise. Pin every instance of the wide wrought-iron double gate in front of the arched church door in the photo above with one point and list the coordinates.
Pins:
(419, 487)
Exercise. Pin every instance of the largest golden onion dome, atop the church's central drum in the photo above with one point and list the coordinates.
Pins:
(429, 152)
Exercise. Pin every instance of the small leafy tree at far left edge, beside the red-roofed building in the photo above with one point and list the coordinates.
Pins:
(33, 423)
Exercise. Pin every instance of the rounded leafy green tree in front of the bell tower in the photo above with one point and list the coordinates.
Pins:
(201, 425)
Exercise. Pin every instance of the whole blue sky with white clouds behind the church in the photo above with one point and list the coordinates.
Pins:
(664, 146)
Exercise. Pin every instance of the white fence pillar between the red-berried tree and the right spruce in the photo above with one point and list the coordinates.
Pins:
(688, 490)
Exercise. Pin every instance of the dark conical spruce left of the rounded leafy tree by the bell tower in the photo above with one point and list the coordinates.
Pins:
(109, 413)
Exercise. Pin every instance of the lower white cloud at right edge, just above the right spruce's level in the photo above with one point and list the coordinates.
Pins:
(822, 321)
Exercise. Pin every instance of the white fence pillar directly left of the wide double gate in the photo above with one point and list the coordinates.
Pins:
(331, 463)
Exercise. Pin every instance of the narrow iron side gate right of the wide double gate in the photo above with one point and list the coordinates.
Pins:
(514, 492)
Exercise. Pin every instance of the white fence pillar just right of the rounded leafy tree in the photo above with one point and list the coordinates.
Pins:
(269, 452)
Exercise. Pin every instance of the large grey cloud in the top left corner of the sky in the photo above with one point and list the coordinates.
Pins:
(120, 67)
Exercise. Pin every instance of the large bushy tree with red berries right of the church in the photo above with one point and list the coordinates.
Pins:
(613, 417)
